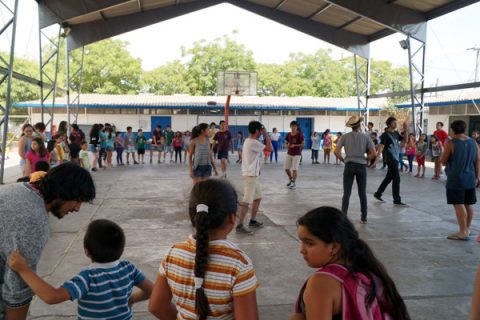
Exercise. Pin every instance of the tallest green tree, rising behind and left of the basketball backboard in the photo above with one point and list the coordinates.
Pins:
(205, 59)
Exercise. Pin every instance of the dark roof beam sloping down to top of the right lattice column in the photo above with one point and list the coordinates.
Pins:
(394, 17)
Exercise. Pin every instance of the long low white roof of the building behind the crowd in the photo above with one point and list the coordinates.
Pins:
(207, 102)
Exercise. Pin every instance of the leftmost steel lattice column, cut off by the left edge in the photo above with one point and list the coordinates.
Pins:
(12, 11)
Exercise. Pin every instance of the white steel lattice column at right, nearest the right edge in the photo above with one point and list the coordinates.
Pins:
(417, 83)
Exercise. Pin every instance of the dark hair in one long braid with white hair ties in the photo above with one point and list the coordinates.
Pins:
(211, 203)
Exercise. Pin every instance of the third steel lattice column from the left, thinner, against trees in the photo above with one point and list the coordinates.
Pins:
(74, 83)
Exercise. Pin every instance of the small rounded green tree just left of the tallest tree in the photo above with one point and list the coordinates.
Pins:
(168, 79)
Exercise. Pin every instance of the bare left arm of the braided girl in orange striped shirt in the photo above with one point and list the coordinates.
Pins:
(160, 304)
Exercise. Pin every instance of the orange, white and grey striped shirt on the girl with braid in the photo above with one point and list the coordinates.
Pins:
(229, 274)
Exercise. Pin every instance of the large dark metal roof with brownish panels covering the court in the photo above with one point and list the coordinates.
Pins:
(348, 24)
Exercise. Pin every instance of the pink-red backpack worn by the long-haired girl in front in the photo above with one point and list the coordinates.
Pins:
(354, 290)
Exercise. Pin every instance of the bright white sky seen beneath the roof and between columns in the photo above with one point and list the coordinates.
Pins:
(448, 38)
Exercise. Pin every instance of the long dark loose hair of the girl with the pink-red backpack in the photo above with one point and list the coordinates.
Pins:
(331, 225)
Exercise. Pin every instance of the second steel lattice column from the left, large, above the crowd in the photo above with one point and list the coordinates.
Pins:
(49, 56)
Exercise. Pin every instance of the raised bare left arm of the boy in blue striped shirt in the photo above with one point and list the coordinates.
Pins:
(41, 288)
